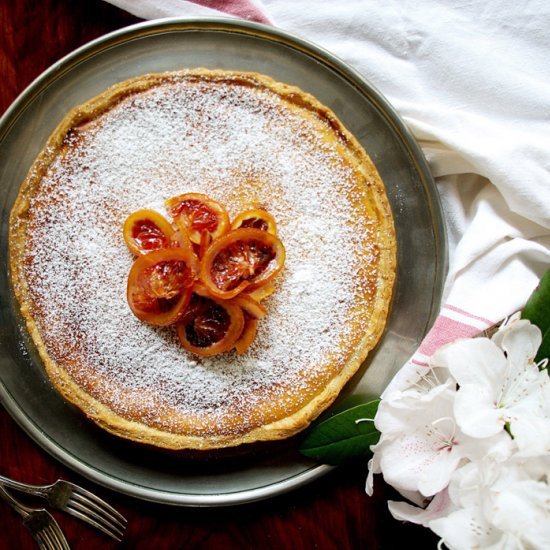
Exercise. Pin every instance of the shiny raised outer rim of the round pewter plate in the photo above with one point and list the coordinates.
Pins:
(326, 58)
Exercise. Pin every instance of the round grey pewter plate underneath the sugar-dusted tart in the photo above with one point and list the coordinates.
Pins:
(172, 44)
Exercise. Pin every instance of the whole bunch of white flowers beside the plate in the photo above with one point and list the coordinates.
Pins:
(470, 437)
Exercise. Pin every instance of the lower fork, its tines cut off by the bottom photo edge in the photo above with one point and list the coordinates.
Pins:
(40, 523)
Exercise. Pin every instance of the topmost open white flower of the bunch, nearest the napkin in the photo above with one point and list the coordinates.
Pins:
(499, 386)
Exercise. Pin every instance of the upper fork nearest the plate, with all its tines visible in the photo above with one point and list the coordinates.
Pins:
(68, 497)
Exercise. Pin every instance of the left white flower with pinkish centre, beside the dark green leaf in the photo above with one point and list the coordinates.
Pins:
(421, 444)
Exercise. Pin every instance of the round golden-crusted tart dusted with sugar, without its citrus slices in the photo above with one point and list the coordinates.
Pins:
(247, 141)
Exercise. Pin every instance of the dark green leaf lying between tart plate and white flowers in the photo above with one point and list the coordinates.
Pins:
(344, 436)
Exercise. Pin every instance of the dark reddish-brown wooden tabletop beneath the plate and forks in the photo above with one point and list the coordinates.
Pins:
(331, 513)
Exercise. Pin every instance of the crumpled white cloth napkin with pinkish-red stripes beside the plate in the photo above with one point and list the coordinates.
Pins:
(472, 81)
